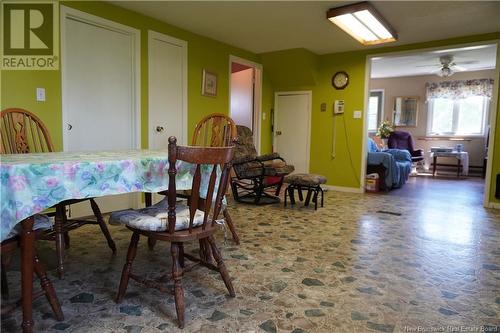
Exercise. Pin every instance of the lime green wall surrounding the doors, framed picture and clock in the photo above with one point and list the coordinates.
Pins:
(296, 69)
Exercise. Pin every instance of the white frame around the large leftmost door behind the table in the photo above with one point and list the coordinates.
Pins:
(135, 34)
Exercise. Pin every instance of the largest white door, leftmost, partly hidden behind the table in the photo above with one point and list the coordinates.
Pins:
(100, 91)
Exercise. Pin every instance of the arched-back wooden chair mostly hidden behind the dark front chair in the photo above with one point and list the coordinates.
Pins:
(214, 130)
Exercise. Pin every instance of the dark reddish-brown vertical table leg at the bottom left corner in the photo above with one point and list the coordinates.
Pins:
(27, 253)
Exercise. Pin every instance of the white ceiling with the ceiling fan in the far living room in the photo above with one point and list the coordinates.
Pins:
(467, 59)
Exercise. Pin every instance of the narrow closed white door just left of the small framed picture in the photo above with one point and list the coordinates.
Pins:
(167, 90)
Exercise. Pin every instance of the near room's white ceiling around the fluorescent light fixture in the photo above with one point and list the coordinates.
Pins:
(266, 26)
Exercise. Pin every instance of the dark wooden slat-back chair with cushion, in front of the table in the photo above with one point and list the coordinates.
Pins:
(198, 222)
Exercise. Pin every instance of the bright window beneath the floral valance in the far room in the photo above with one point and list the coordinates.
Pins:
(464, 116)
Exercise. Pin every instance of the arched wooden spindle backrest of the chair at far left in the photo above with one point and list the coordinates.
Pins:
(22, 132)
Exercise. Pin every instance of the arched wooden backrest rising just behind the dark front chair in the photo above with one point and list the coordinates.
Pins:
(215, 130)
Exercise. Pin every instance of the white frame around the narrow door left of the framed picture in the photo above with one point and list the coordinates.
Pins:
(183, 45)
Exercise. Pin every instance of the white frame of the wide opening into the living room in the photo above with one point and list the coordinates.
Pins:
(492, 115)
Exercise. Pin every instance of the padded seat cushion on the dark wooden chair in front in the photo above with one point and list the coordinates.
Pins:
(155, 218)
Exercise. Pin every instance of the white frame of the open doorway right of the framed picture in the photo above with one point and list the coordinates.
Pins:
(257, 99)
